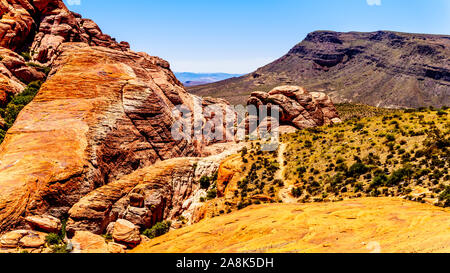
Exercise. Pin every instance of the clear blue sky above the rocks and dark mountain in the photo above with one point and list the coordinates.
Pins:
(238, 36)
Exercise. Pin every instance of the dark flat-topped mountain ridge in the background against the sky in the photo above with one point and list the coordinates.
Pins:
(383, 68)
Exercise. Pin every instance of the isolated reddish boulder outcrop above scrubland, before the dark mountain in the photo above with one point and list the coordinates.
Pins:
(298, 107)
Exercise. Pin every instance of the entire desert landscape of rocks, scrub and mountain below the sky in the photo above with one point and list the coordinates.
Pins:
(89, 162)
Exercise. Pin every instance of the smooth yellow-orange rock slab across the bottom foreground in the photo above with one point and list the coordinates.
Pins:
(366, 225)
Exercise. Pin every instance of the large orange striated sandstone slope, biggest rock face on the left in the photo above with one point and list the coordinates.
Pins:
(101, 115)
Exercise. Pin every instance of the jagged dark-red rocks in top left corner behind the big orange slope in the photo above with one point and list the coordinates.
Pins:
(38, 28)
